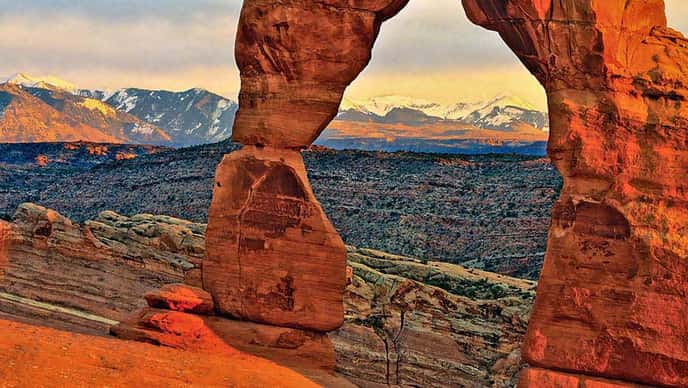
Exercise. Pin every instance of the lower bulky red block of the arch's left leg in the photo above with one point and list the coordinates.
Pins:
(272, 256)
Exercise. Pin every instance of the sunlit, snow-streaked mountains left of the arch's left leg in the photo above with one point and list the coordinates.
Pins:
(42, 109)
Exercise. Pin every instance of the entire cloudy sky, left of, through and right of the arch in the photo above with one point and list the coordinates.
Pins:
(429, 51)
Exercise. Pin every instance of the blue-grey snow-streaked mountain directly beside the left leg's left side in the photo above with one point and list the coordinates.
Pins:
(195, 116)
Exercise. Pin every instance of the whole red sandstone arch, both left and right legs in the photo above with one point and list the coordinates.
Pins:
(613, 294)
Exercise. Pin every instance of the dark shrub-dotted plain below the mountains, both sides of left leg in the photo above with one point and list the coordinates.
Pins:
(489, 212)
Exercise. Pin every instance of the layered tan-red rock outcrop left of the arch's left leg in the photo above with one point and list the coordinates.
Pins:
(103, 267)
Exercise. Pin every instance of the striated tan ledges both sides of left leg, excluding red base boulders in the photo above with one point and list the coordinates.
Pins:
(408, 321)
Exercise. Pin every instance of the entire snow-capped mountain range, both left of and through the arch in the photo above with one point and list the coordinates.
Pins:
(44, 109)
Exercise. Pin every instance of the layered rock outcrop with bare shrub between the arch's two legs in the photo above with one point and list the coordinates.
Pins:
(429, 324)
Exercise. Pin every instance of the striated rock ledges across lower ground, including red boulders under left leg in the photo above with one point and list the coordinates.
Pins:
(406, 320)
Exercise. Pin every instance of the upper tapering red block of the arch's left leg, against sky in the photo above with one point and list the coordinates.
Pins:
(296, 58)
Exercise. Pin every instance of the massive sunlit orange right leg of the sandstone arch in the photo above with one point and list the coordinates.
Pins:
(612, 298)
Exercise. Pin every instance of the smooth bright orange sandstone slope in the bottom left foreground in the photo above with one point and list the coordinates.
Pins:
(40, 357)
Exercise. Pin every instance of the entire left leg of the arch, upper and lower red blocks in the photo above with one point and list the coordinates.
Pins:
(272, 256)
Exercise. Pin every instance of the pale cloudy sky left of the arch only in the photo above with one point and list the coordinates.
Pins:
(123, 42)
